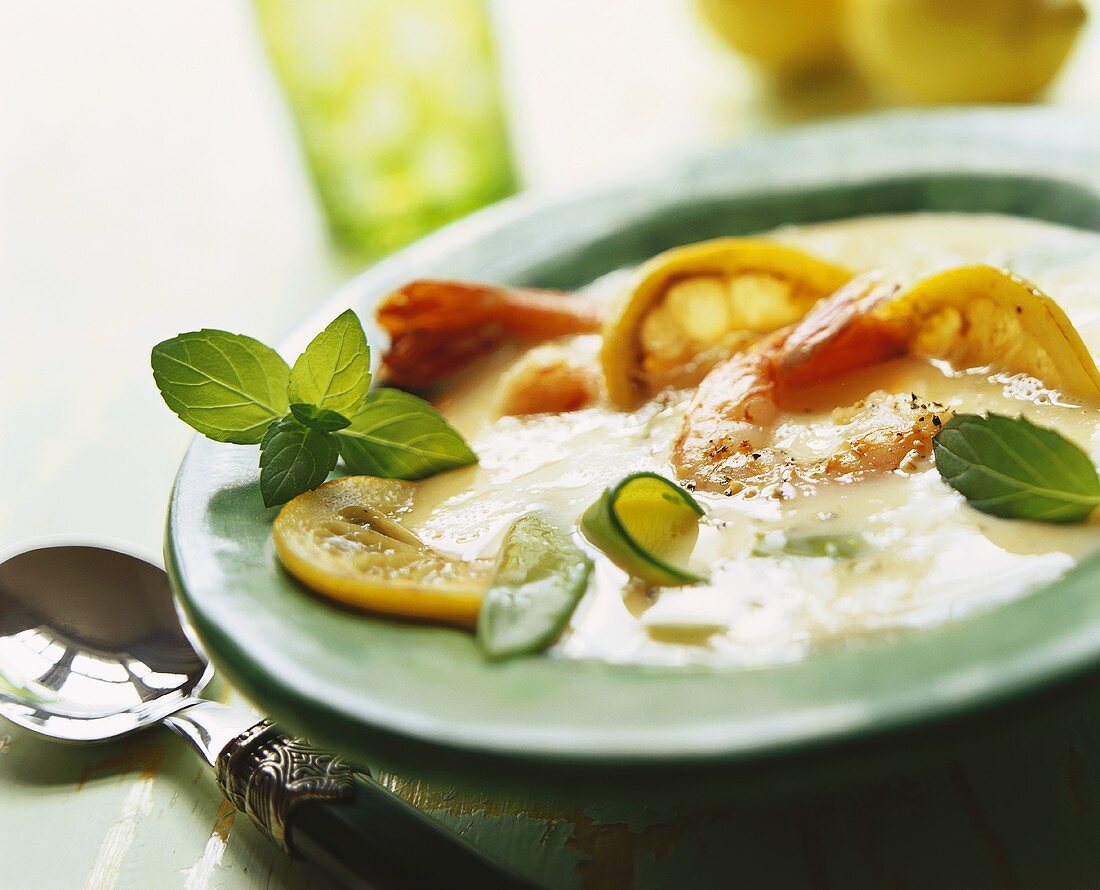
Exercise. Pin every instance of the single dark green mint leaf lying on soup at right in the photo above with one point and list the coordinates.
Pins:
(1011, 468)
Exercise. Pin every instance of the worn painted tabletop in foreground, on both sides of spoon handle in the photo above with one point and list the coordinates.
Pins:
(1014, 806)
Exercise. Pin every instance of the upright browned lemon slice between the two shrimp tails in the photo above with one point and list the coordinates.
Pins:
(691, 307)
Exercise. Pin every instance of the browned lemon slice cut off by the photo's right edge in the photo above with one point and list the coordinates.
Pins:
(981, 316)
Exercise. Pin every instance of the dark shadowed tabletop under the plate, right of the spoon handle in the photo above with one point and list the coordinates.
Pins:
(1009, 800)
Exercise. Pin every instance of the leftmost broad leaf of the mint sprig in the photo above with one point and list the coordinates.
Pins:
(227, 387)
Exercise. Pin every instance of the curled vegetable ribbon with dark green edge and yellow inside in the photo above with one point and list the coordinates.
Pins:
(643, 523)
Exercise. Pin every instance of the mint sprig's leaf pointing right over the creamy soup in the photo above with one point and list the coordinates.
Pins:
(399, 436)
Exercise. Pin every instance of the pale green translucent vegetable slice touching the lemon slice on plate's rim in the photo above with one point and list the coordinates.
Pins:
(540, 579)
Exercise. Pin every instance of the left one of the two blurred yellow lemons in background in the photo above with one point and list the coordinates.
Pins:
(787, 36)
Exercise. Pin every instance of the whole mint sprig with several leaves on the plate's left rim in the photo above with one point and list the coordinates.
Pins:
(234, 389)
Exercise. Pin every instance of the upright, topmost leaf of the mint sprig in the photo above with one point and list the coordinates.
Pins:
(335, 371)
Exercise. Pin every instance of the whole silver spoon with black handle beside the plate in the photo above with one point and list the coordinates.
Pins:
(92, 650)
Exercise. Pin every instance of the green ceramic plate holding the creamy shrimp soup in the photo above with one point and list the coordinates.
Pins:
(366, 684)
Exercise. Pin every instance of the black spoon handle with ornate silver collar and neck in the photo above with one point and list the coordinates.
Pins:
(314, 806)
